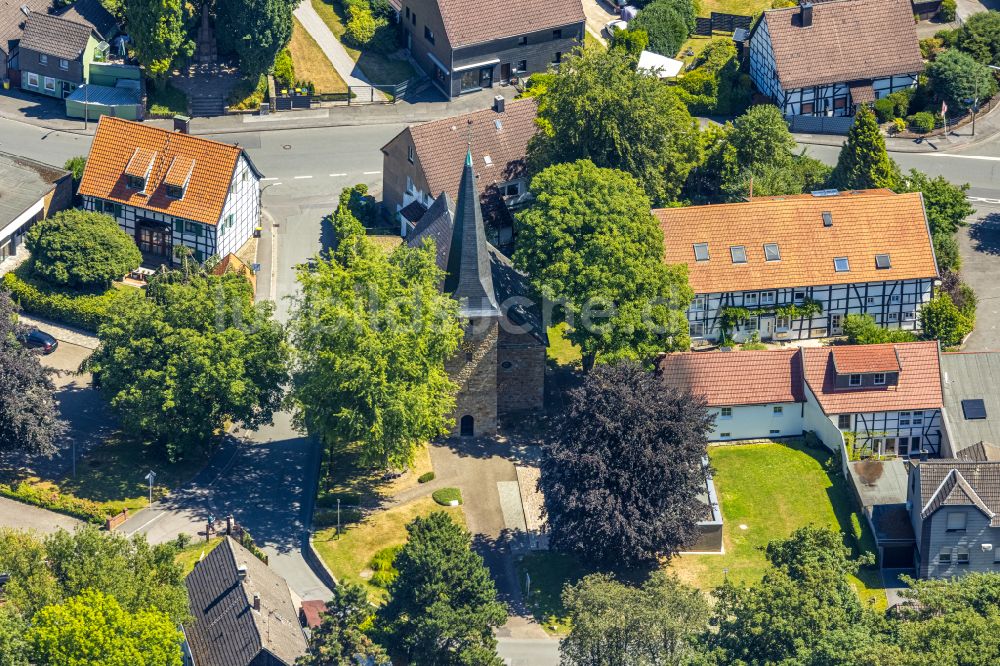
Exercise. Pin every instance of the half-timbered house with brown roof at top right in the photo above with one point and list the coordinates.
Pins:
(824, 60)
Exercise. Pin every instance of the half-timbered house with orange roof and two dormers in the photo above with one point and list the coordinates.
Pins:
(170, 188)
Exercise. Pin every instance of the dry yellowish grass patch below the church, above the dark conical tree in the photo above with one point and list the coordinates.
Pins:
(349, 555)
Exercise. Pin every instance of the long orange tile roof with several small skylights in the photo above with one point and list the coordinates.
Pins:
(864, 224)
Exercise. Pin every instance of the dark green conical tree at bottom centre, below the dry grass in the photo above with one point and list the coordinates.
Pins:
(442, 608)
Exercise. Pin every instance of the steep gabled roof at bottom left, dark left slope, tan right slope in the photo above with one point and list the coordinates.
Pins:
(226, 631)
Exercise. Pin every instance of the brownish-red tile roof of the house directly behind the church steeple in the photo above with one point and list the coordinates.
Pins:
(499, 146)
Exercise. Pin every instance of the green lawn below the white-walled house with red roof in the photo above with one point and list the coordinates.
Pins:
(767, 491)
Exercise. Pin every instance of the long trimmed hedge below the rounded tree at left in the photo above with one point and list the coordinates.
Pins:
(82, 310)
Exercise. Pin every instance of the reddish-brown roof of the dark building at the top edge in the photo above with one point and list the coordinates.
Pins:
(474, 21)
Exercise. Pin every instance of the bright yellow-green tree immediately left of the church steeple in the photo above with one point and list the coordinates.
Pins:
(372, 333)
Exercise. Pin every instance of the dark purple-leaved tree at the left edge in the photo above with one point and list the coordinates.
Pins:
(29, 415)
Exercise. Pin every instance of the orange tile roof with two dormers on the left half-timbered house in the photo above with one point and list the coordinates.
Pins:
(111, 154)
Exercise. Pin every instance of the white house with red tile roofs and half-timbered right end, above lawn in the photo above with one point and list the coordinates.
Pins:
(884, 399)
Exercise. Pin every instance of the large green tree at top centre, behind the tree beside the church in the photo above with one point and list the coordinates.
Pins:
(598, 107)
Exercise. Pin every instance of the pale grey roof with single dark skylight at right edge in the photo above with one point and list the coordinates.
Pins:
(969, 376)
